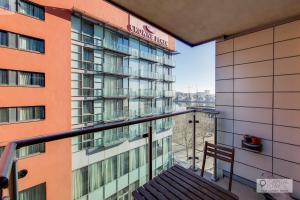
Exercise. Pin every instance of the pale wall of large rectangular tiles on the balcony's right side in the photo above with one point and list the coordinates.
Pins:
(258, 93)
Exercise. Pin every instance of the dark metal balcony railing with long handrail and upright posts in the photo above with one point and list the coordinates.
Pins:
(8, 161)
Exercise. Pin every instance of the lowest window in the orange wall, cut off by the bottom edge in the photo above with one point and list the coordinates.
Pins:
(37, 192)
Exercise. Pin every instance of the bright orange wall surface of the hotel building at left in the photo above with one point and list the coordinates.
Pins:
(53, 167)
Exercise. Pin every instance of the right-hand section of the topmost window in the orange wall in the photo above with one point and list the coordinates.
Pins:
(29, 9)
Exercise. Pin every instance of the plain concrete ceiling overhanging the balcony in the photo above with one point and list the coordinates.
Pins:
(198, 21)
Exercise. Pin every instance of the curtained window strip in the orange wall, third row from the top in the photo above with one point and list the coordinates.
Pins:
(13, 78)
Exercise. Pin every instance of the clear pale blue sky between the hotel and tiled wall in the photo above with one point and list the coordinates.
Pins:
(195, 67)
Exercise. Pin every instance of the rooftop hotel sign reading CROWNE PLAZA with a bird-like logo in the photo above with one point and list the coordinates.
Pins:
(144, 30)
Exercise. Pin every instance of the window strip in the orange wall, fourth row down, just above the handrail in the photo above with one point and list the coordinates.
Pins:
(21, 114)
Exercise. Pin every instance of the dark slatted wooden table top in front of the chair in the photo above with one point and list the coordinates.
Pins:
(178, 183)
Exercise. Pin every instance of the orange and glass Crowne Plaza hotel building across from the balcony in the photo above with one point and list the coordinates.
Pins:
(70, 65)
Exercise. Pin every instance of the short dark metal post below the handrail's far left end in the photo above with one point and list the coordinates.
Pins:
(13, 183)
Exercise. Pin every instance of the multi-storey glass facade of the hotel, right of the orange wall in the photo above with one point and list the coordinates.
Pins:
(116, 77)
